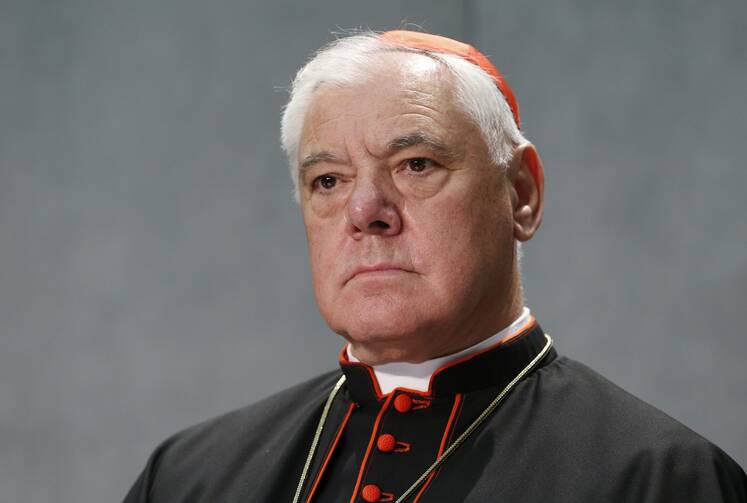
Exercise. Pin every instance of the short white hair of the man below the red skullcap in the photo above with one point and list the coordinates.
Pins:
(349, 61)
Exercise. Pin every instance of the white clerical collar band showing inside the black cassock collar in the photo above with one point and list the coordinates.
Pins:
(417, 376)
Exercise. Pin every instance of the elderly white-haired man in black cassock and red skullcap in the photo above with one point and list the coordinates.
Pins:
(416, 186)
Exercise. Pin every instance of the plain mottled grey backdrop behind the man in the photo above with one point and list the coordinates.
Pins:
(153, 270)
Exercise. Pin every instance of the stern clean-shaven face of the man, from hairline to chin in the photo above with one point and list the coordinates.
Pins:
(409, 224)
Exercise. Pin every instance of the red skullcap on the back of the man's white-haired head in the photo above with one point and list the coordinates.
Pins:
(436, 43)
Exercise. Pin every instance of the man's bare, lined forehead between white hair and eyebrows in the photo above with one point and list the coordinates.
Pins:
(400, 93)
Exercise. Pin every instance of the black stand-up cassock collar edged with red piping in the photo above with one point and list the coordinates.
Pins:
(493, 366)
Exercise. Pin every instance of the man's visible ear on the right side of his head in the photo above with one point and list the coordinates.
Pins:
(527, 179)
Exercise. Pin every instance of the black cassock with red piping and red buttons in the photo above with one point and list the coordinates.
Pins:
(564, 434)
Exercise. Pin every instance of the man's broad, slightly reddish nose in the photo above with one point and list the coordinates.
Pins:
(371, 208)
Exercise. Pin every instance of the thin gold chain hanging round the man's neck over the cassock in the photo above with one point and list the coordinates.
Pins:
(448, 452)
